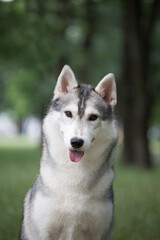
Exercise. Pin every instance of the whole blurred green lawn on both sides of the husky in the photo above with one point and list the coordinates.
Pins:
(137, 195)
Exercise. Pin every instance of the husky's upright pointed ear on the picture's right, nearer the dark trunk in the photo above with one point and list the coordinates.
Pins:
(107, 89)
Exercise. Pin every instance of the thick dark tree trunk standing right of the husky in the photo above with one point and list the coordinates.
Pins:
(136, 101)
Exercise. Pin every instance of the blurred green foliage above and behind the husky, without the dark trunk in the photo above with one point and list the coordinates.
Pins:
(39, 37)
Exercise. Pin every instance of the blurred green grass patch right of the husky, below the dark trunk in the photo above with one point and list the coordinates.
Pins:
(137, 201)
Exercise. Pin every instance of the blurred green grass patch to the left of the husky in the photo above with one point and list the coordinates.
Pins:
(18, 168)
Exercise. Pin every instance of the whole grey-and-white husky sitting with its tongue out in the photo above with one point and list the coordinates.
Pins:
(72, 197)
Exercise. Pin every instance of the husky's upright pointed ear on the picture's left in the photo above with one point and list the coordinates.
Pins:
(66, 82)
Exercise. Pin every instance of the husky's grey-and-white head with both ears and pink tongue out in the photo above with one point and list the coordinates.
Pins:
(83, 112)
